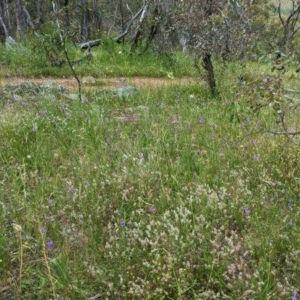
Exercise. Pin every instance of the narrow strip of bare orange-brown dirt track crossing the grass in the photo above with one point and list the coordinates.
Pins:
(101, 83)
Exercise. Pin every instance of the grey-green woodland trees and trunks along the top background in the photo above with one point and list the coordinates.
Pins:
(229, 29)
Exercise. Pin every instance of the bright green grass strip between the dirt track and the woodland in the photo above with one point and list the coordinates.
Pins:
(109, 59)
